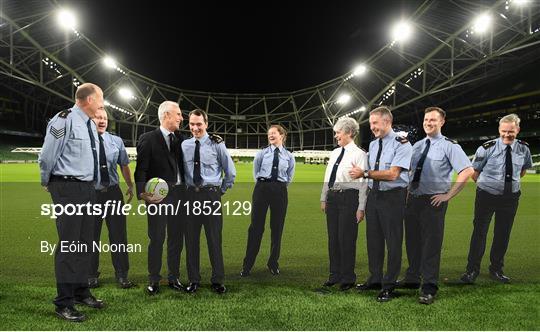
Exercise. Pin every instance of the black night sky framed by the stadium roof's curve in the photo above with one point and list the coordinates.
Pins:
(230, 46)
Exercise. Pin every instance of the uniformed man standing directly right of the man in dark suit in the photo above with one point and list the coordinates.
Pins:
(206, 158)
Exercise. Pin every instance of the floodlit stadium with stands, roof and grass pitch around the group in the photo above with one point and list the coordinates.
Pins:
(476, 60)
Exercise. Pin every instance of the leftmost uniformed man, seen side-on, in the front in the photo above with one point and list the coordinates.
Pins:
(69, 169)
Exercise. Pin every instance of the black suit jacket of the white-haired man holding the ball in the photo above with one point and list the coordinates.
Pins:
(155, 160)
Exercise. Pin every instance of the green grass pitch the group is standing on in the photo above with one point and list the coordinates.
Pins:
(262, 301)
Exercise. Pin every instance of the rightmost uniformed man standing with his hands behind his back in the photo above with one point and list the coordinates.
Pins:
(498, 165)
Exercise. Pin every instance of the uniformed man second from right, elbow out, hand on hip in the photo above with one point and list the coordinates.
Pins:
(433, 161)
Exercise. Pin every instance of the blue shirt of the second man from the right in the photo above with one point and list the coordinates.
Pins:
(444, 156)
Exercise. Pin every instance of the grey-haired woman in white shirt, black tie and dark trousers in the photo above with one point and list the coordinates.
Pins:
(343, 200)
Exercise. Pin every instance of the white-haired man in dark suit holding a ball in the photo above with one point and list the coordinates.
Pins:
(159, 155)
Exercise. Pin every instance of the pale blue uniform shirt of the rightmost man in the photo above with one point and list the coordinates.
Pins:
(490, 161)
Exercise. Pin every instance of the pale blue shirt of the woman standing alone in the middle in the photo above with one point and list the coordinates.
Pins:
(264, 159)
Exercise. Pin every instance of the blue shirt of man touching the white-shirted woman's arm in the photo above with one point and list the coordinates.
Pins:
(395, 152)
